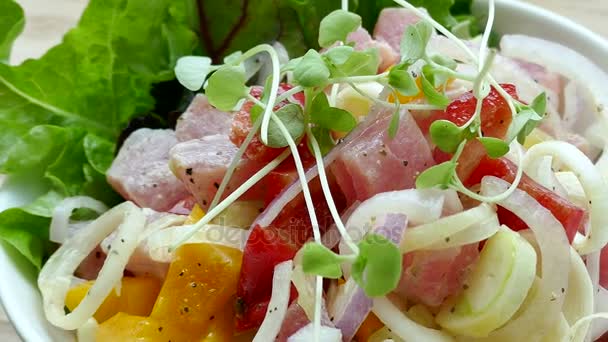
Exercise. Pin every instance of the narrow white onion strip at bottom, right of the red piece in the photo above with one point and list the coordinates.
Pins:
(277, 307)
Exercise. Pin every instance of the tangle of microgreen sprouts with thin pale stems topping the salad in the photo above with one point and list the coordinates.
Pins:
(376, 262)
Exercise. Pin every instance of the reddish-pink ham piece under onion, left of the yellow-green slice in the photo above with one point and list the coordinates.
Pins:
(429, 277)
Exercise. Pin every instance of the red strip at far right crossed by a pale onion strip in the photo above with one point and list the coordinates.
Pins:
(570, 216)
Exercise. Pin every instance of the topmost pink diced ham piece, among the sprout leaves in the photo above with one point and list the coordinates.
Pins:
(392, 22)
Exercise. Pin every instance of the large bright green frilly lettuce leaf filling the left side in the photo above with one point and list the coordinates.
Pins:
(61, 114)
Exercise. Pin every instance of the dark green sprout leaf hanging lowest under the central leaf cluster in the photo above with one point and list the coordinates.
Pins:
(332, 118)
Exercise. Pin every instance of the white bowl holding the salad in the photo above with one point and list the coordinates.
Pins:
(18, 290)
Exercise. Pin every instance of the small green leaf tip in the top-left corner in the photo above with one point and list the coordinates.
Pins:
(11, 24)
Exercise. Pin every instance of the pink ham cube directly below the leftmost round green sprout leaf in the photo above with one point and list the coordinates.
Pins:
(202, 119)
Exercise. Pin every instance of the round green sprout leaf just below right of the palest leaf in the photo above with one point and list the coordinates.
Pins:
(226, 87)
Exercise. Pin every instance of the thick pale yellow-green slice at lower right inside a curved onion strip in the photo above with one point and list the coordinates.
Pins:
(495, 289)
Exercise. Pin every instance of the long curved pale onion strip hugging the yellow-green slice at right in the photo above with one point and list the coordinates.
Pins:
(545, 304)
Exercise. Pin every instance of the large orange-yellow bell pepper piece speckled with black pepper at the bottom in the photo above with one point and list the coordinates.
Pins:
(200, 284)
